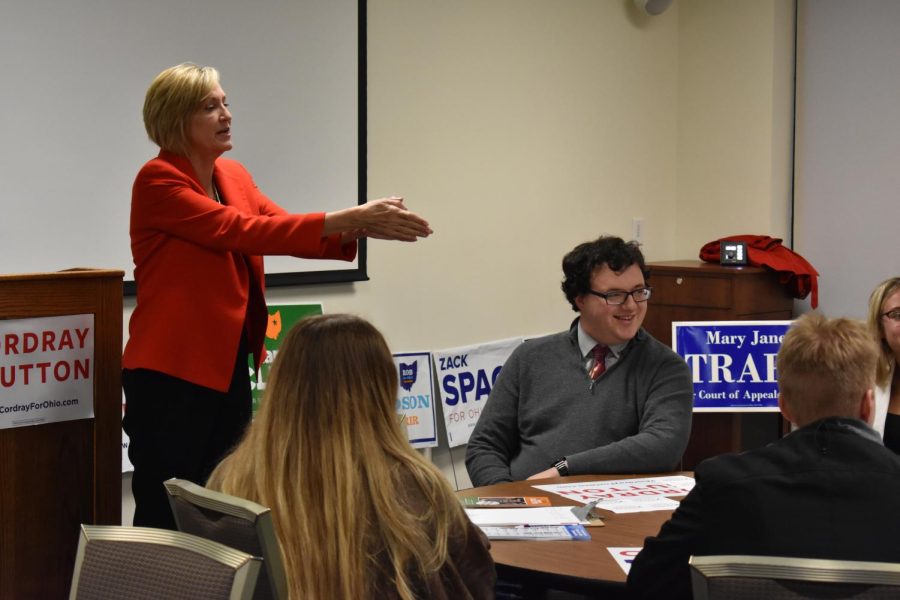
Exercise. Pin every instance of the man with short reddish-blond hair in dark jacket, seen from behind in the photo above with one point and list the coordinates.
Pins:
(826, 490)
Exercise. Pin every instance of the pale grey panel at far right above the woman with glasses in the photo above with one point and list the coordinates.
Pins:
(847, 147)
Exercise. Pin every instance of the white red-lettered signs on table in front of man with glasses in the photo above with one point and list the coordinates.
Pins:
(627, 495)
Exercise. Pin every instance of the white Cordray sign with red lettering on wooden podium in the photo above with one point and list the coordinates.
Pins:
(46, 370)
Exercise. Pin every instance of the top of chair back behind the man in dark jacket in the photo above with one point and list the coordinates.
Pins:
(780, 578)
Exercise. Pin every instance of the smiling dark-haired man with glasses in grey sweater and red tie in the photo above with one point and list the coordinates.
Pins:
(602, 397)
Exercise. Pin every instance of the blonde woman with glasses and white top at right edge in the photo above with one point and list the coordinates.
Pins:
(884, 324)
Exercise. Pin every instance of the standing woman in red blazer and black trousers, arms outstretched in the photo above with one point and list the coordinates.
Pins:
(199, 229)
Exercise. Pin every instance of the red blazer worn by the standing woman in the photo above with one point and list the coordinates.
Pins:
(194, 262)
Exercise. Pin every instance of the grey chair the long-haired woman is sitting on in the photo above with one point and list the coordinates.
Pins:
(235, 522)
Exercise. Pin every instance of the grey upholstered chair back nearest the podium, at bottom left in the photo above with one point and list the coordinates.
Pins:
(141, 563)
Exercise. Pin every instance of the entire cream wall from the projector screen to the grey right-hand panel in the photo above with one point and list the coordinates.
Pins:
(520, 128)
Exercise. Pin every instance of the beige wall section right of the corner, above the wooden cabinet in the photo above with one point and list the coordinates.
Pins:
(735, 125)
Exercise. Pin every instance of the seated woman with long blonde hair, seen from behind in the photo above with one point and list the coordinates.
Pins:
(358, 512)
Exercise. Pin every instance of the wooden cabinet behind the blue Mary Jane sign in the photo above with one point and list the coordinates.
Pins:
(691, 290)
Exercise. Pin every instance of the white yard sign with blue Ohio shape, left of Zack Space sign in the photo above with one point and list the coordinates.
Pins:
(415, 398)
